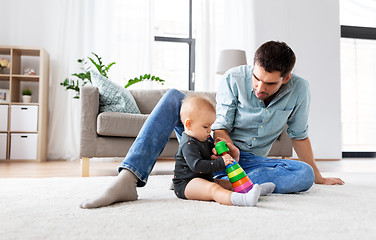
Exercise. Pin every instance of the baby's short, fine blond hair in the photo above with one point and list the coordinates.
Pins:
(190, 103)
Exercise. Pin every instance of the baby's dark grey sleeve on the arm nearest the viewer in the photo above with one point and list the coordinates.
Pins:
(196, 163)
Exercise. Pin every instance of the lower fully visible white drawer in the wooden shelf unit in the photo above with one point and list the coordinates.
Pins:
(23, 146)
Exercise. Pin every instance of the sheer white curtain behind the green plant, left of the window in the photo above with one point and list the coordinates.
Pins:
(117, 31)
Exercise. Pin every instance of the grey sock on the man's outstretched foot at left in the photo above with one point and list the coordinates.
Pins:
(122, 189)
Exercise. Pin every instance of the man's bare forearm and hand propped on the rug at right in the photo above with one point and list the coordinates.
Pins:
(304, 151)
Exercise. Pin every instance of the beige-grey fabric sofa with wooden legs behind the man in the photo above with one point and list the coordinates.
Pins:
(111, 134)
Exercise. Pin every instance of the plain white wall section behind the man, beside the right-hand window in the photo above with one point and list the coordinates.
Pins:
(311, 28)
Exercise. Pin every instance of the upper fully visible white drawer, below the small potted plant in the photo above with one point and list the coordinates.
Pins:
(23, 118)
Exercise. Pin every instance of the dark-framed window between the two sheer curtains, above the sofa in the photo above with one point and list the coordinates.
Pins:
(174, 47)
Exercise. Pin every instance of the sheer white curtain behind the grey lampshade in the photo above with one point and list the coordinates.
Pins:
(218, 25)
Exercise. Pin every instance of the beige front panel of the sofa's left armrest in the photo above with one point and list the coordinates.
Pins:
(89, 111)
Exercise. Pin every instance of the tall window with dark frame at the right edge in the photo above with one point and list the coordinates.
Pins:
(358, 85)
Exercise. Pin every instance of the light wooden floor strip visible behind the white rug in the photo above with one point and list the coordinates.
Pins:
(109, 168)
